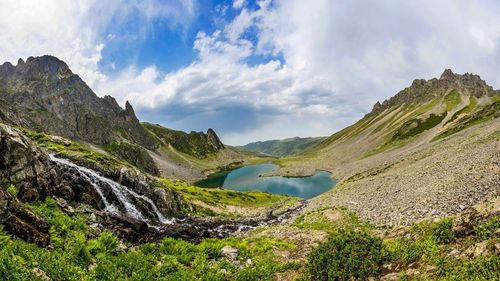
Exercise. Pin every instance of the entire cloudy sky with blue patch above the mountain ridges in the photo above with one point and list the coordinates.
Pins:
(255, 70)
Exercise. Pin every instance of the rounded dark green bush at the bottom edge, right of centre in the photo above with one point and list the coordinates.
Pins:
(346, 255)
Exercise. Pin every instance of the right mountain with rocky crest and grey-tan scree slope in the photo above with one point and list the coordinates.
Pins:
(429, 151)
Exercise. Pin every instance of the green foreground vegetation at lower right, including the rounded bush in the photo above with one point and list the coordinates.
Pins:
(425, 251)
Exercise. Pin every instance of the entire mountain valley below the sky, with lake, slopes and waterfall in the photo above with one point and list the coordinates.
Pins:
(88, 192)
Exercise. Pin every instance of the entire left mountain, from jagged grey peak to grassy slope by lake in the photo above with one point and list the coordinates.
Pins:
(44, 95)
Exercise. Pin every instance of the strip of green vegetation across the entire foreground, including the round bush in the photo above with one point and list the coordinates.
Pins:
(354, 249)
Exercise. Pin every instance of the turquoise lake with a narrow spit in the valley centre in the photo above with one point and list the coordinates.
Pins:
(247, 179)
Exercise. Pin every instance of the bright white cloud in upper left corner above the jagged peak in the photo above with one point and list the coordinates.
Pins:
(73, 30)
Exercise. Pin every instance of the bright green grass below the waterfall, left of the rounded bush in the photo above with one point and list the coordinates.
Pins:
(77, 252)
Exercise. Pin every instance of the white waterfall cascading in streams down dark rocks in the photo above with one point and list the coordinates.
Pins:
(122, 193)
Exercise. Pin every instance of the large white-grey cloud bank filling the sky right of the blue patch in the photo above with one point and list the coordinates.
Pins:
(339, 58)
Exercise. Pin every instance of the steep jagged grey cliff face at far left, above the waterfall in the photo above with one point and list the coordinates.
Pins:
(44, 95)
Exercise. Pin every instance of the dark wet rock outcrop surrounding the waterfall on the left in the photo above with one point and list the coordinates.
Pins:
(35, 176)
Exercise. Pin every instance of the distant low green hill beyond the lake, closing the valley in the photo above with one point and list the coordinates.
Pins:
(285, 147)
